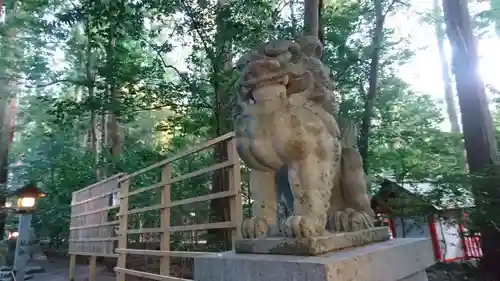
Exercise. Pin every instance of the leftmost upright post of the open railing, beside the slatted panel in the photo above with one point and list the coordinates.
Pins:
(122, 242)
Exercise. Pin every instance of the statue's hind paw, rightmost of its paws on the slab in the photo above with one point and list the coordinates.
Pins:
(349, 220)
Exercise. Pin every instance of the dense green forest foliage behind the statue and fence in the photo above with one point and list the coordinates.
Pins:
(165, 70)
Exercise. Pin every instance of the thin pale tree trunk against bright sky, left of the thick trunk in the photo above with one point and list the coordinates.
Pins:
(445, 71)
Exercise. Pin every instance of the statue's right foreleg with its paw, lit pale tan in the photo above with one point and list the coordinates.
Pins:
(311, 181)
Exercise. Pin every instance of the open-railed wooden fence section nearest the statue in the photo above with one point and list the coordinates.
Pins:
(165, 229)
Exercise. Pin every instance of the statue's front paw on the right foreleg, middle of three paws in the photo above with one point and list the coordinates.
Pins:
(304, 226)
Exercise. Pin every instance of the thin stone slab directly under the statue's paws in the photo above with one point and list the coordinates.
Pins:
(311, 246)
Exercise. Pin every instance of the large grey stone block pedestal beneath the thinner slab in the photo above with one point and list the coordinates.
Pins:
(393, 260)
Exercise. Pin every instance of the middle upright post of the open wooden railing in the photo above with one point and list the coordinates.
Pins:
(165, 220)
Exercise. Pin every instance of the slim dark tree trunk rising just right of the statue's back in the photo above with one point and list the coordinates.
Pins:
(372, 88)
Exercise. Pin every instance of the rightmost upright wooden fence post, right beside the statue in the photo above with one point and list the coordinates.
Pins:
(235, 202)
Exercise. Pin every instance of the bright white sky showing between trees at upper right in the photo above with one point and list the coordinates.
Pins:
(423, 72)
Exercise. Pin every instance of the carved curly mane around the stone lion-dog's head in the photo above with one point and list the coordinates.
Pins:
(298, 59)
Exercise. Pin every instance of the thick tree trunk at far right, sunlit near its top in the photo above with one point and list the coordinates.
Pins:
(480, 142)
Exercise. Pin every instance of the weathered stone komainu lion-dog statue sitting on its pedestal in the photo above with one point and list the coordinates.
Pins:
(284, 116)
